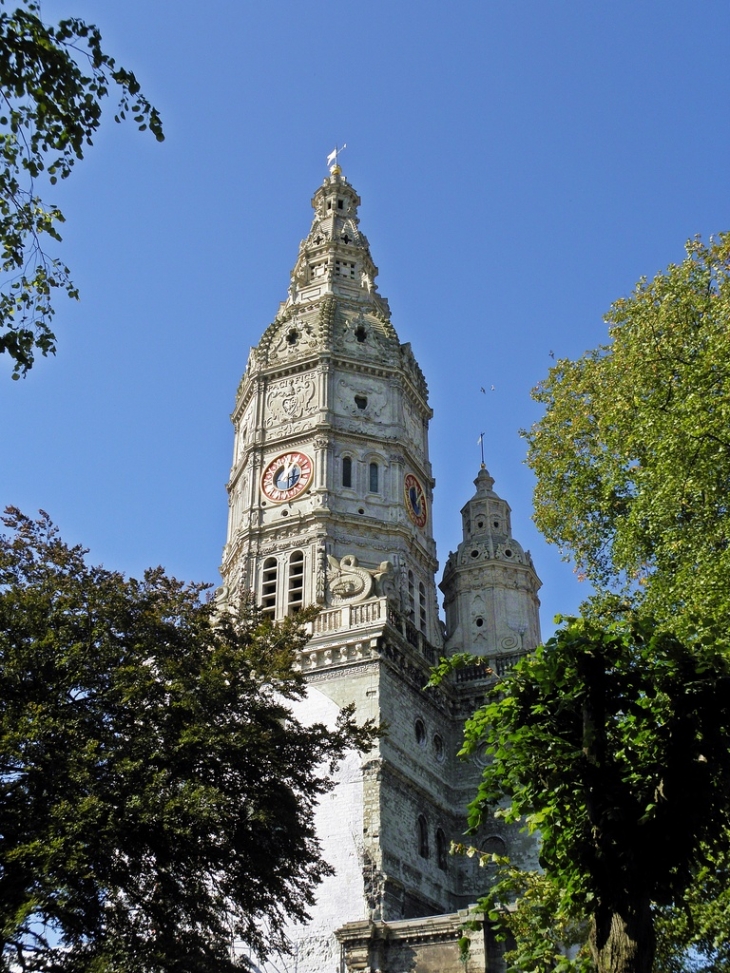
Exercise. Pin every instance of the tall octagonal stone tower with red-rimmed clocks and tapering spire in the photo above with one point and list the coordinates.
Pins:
(330, 491)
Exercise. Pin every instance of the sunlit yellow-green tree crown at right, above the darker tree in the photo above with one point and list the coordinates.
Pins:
(632, 454)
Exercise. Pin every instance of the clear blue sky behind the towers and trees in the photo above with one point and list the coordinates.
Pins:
(521, 166)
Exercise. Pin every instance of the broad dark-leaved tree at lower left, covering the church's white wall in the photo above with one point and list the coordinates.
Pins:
(157, 791)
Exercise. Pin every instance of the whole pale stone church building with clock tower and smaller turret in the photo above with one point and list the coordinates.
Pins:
(330, 501)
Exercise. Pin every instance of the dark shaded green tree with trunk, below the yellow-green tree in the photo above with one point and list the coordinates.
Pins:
(612, 743)
